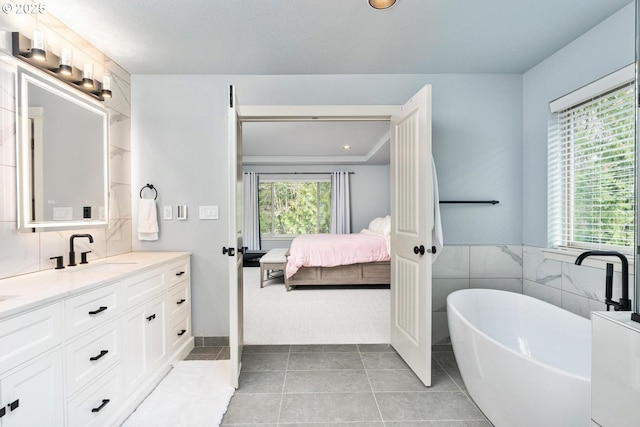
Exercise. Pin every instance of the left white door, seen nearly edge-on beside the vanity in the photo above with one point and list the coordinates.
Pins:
(235, 249)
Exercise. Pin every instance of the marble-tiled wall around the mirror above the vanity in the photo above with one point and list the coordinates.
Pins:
(22, 253)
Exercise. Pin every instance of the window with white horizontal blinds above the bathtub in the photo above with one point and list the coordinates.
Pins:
(592, 172)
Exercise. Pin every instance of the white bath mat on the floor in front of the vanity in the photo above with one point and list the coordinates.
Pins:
(194, 393)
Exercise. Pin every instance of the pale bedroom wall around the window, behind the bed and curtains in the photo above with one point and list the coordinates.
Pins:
(365, 204)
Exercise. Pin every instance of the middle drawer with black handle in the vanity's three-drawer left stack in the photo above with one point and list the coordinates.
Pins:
(90, 355)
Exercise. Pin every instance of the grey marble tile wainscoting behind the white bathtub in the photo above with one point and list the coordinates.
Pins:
(521, 269)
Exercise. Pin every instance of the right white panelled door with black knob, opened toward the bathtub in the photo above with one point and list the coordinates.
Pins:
(411, 224)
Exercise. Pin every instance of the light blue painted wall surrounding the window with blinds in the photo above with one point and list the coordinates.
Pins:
(606, 48)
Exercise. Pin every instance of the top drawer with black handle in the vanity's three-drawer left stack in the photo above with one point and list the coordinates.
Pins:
(92, 309)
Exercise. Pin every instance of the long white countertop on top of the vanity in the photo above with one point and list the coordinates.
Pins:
(21, 293)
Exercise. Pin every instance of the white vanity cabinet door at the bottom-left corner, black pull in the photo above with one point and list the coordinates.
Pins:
(35, 392)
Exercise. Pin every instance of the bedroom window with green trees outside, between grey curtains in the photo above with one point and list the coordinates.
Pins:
(294, 207)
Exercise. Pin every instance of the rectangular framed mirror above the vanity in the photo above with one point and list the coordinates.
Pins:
(63, 152)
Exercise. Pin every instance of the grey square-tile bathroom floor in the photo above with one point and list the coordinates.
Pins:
(344, 385)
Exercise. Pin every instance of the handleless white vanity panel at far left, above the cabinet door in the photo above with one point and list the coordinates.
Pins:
(29, 334)
